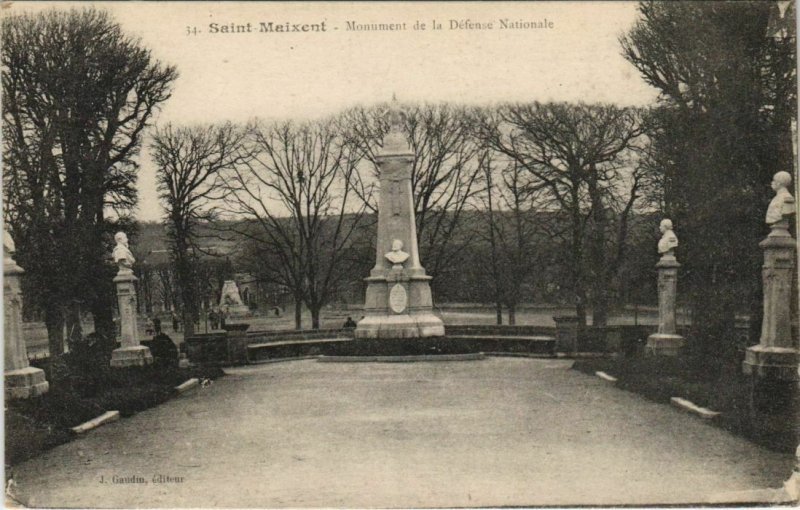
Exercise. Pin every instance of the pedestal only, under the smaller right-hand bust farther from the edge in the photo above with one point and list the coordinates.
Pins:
(666, 342)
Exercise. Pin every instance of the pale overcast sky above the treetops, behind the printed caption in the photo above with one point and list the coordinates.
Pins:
(266, 74)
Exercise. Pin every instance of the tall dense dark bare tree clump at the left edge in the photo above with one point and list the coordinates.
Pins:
(77, 95)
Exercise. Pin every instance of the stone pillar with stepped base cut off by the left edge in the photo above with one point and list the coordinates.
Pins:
(22, 380)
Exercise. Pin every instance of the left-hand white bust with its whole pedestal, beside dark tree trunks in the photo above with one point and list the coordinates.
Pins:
(131, 353)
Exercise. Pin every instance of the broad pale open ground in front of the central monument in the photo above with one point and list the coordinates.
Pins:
(493, 432)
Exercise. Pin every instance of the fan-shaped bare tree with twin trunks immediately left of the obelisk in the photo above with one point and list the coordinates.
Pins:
(298, 198)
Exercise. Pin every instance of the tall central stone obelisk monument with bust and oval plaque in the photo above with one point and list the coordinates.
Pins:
(398, 302)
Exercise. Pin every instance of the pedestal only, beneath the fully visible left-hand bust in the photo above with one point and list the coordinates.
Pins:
(130, 353)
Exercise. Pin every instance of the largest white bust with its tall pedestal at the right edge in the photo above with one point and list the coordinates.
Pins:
(776, 356)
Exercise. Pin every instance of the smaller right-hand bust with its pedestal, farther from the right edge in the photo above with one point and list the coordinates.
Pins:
(666, 342)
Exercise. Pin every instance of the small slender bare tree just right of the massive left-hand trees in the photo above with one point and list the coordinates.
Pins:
(191, 162)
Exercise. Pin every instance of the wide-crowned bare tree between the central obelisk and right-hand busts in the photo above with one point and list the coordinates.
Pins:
(585, 157)
